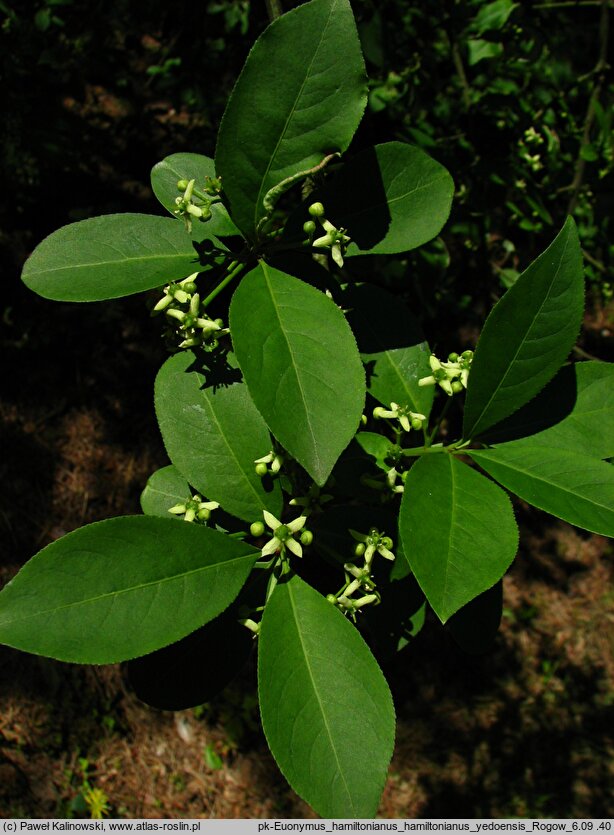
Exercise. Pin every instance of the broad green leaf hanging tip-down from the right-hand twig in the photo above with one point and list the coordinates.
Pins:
(458, 531)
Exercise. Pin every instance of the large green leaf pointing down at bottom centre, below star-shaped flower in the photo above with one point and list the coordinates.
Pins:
(326, 709)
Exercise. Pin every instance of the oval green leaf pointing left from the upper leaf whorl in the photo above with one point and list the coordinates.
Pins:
(110, 256)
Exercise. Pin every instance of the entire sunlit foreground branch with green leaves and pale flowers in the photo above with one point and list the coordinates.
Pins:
(310, 428)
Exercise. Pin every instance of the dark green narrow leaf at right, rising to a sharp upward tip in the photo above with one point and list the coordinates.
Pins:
(528, 334)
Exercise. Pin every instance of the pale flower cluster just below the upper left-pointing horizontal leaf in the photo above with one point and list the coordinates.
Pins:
(186, 316)
